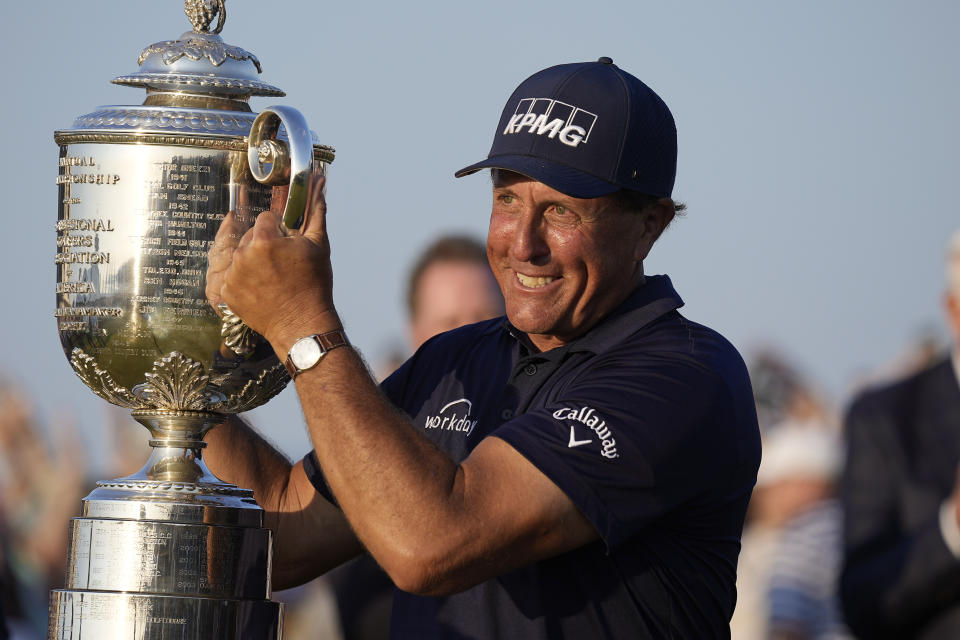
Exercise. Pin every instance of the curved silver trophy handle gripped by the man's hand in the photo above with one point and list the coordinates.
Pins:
(276, 164)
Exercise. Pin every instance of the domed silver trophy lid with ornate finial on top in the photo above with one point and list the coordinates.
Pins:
(199, 64)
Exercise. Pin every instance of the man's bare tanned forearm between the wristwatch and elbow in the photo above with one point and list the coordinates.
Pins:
(386, 477)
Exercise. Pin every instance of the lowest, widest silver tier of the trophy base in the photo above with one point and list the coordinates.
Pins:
(102, 615)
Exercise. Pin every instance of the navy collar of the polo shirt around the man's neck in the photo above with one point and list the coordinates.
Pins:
(654, 298)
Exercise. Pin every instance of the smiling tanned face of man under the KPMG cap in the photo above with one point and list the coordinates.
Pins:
(563, 263)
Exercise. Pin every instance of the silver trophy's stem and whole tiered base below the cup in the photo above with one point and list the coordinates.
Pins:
(168, 552)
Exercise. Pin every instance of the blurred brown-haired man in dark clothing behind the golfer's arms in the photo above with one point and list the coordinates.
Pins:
(449, 285)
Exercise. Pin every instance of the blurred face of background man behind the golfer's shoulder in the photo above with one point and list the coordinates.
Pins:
(450, 294)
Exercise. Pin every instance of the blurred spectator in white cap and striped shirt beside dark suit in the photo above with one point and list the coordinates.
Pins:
(792, 544)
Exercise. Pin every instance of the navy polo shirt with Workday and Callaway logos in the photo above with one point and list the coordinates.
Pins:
(647, 423)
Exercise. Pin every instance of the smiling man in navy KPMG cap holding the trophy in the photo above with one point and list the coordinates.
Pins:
(578, 470)
